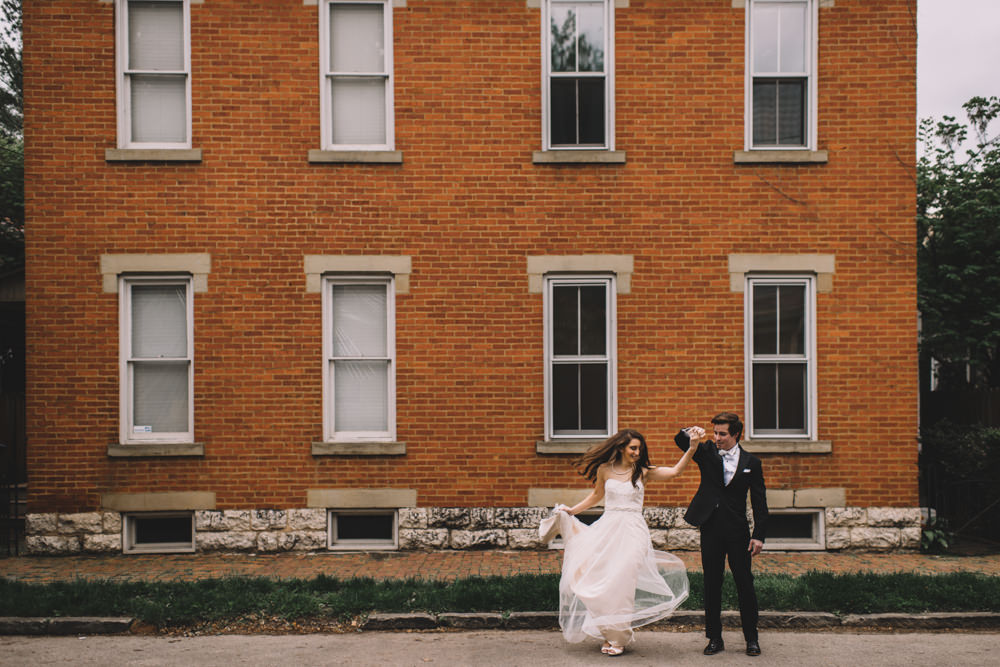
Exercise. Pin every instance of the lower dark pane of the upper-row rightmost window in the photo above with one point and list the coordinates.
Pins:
(779, 117)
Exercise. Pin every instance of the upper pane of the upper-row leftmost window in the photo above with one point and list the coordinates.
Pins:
(156, 36)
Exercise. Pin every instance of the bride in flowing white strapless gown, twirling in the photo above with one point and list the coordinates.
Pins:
(612, 578)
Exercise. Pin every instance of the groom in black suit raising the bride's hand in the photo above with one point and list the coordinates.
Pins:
(719, 509)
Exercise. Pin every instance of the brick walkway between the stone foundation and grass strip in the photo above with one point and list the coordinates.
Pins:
(433, 565)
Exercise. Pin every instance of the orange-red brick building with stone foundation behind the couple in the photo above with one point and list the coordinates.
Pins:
(310, 274)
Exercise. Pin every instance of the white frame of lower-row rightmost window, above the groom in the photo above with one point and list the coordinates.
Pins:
(809, 356)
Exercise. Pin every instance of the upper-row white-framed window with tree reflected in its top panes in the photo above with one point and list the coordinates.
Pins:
(578, 74)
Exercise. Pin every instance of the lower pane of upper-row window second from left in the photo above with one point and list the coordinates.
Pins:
(358, 105)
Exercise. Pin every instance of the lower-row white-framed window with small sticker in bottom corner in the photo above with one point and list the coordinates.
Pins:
(157, 359)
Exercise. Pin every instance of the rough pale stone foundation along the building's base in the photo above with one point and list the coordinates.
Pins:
(439, 528)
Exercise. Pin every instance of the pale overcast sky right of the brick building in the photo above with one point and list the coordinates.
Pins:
(958, 54)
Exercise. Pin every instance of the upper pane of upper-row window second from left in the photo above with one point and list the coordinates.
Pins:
(357, 38)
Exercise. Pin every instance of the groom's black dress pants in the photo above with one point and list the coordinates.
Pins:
(720, 540)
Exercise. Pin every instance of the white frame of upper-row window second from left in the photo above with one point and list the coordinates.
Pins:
(326, 78)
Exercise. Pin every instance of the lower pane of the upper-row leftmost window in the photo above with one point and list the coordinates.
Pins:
(159, 108)
